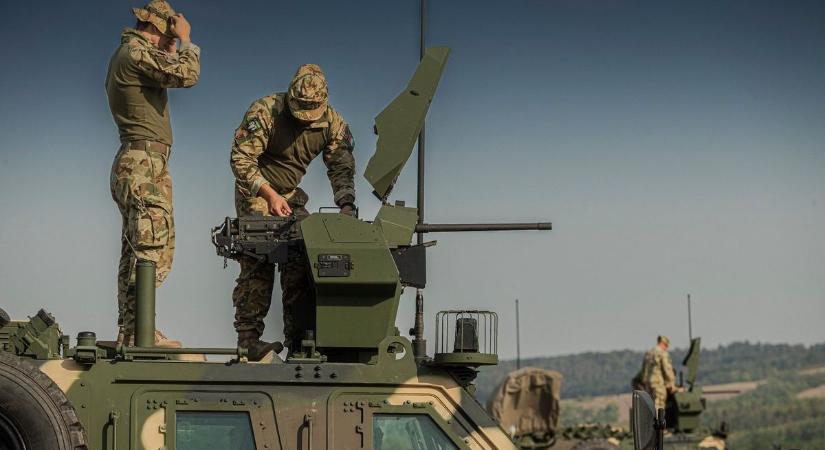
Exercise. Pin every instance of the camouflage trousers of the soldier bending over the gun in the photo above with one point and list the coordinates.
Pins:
(252, 296)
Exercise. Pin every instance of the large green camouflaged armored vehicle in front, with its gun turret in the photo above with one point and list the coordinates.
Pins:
(354, 383)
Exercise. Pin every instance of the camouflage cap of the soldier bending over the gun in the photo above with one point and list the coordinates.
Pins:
(307, 94)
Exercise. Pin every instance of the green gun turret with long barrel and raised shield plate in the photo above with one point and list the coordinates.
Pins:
(360, 268)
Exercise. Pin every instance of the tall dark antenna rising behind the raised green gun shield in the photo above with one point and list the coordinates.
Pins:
(419, 343)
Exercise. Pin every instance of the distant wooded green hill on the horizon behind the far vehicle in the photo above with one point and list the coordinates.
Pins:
(604, 373)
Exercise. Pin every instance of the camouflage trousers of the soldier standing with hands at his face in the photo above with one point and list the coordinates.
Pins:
(142, 189)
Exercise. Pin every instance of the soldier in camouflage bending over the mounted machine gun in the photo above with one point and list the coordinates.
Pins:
(279, 136)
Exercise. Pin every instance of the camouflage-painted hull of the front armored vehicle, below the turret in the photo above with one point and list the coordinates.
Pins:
(146, 403)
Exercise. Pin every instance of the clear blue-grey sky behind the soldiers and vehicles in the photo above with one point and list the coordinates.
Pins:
(677, 147)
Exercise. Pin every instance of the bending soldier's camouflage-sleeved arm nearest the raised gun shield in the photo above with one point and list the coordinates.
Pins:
(340, 162)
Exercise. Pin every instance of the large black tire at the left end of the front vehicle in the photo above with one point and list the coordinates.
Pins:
(34, 412)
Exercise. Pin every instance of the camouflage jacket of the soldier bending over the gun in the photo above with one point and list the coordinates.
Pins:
(271, 147)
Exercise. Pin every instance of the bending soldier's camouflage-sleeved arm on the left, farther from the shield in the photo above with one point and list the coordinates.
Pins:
(251, 138)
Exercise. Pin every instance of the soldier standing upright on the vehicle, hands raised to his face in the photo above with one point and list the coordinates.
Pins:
(147, 62)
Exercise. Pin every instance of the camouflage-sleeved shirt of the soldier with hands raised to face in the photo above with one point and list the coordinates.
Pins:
(139, 73)
